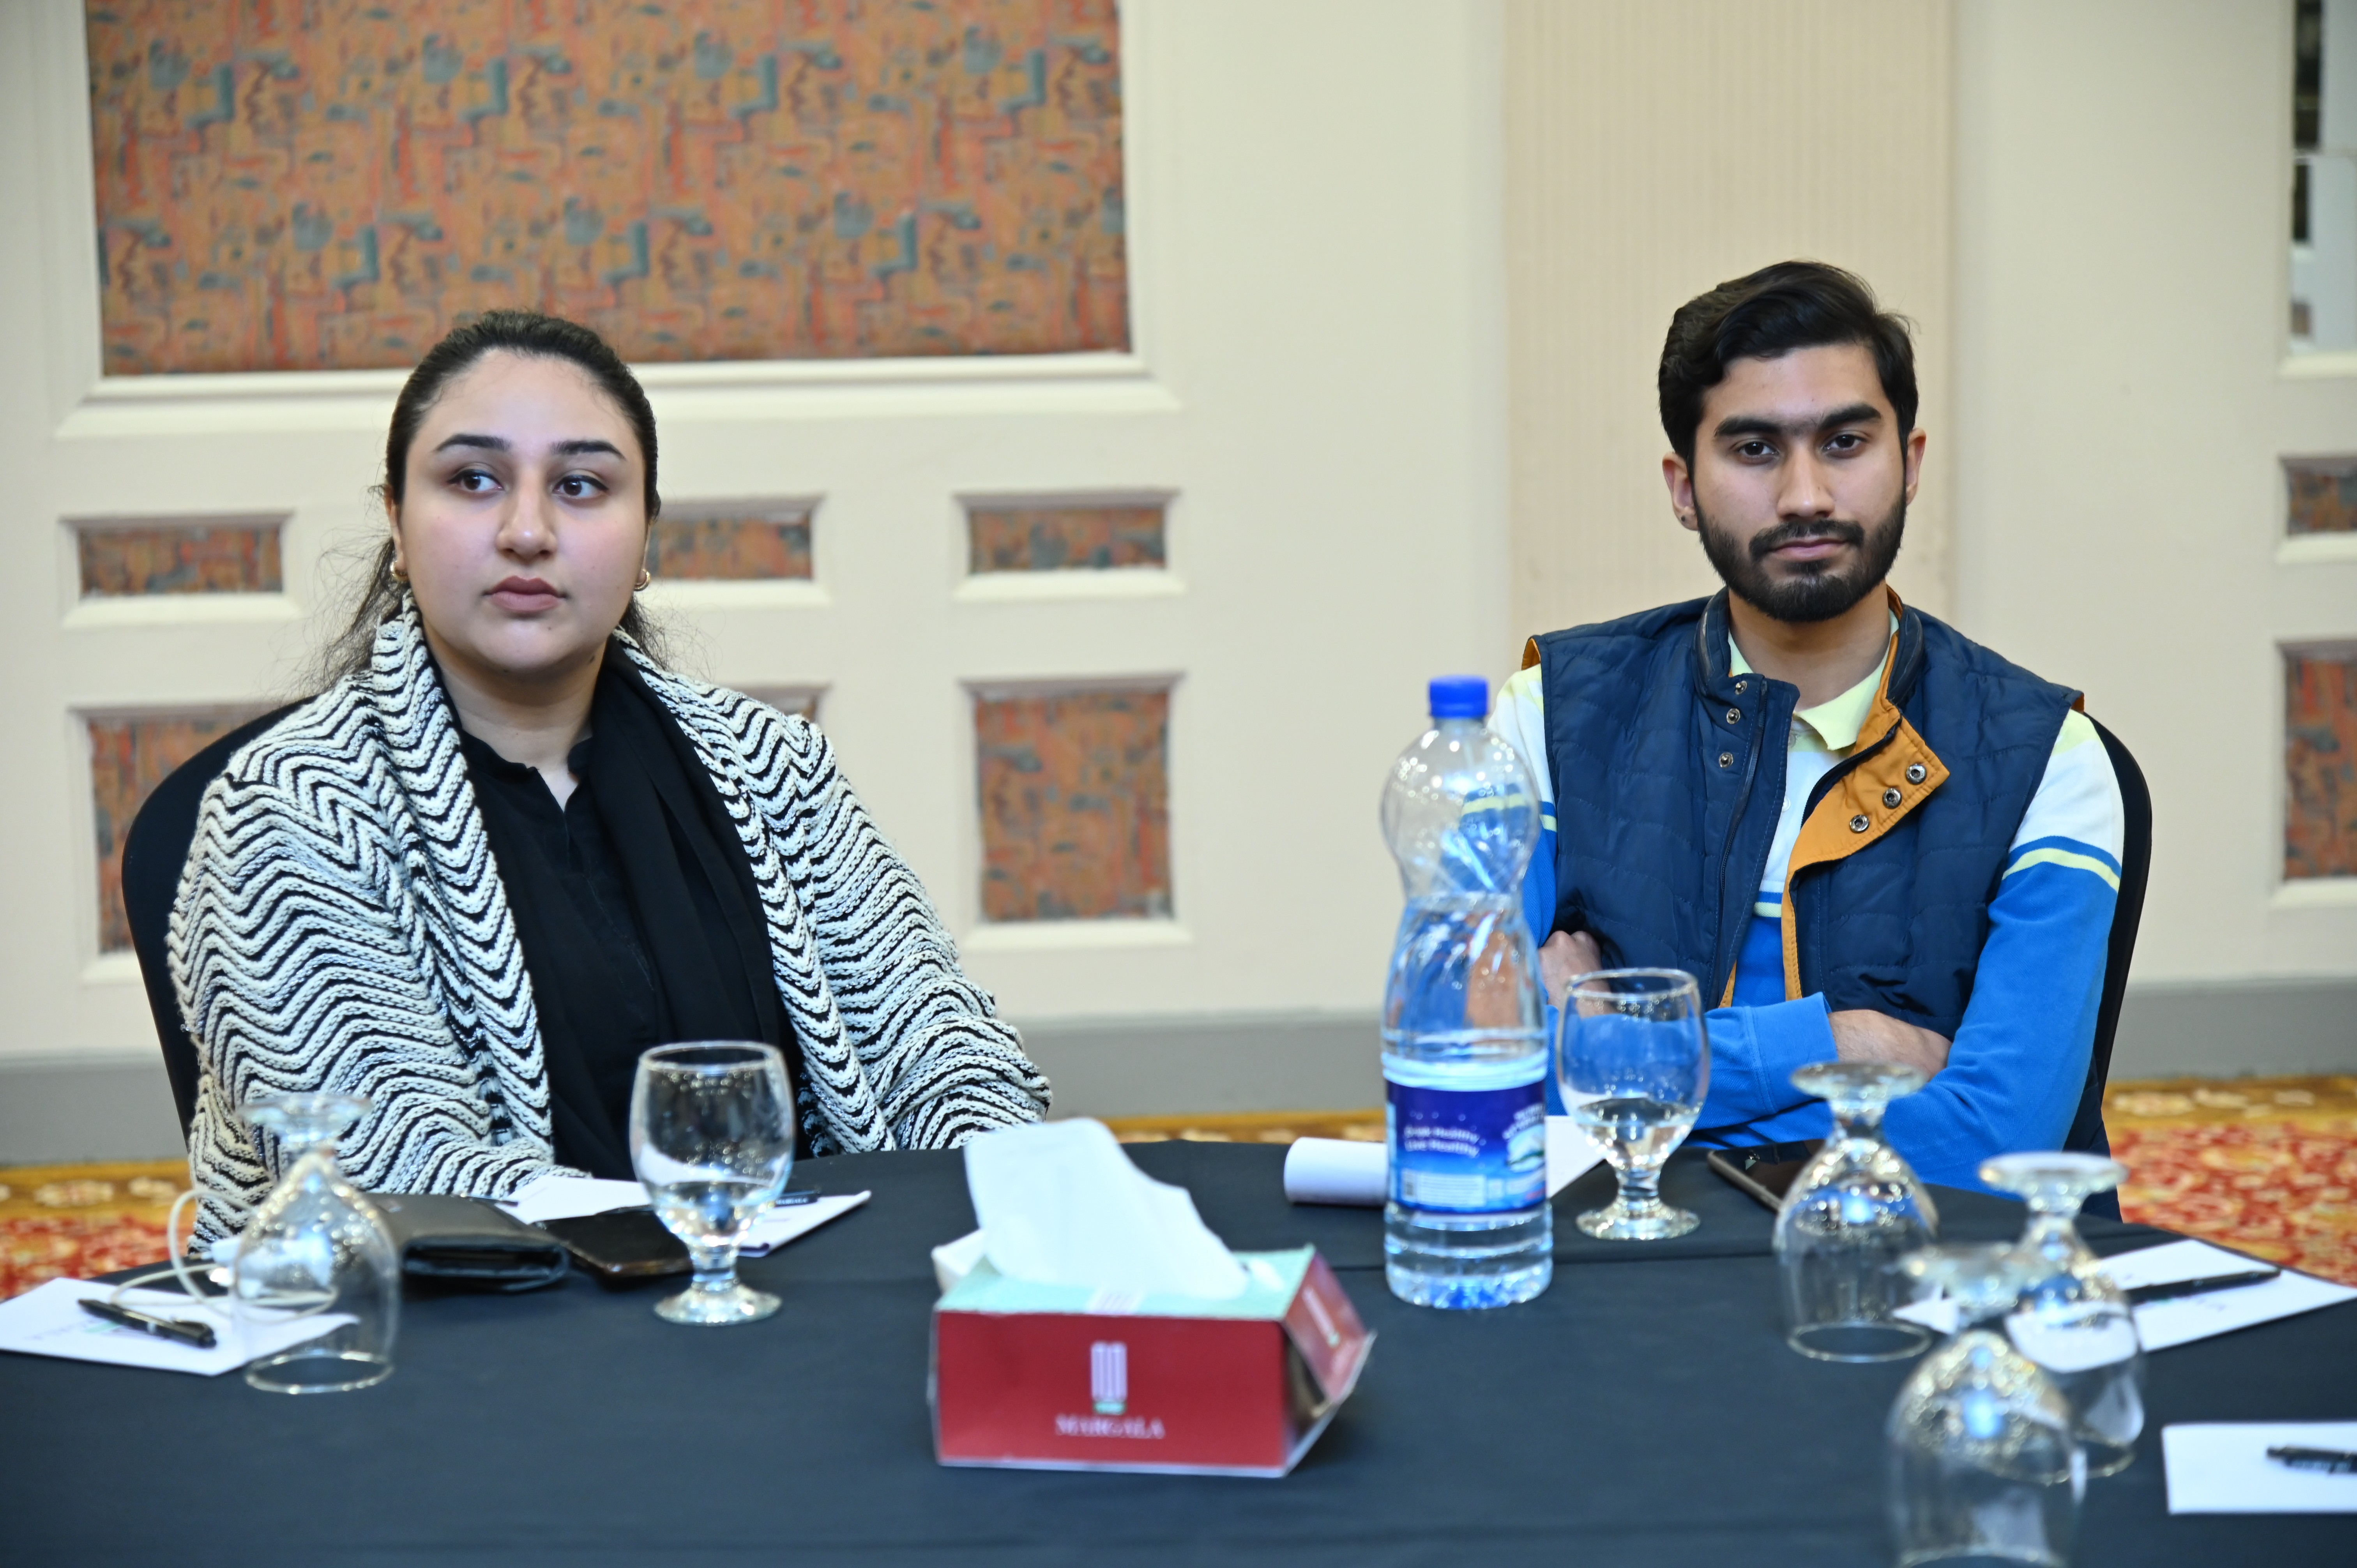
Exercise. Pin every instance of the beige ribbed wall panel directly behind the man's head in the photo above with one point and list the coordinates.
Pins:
(1653, 152)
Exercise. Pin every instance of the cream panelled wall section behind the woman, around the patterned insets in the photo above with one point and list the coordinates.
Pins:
(1314, 202)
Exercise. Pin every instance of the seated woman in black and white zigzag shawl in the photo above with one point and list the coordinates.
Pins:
(506, 850)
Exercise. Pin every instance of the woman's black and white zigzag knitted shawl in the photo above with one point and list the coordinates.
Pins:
(343, 928)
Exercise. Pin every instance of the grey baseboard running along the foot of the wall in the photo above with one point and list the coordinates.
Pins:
(121, 1107)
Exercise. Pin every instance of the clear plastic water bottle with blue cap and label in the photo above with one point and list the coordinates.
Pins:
(1465, 1053)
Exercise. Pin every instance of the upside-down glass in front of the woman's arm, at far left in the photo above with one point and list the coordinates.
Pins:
(317, 1249)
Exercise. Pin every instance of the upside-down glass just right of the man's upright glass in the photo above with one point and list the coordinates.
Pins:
(1849, 1220)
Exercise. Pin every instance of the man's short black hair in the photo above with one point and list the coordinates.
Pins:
(1792, 305)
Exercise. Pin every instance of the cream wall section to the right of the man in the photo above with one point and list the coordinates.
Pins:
(2122, 402)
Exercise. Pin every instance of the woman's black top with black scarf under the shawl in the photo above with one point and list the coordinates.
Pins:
(635, 907)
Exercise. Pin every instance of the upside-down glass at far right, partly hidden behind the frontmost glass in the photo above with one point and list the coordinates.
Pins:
(2073, 1319)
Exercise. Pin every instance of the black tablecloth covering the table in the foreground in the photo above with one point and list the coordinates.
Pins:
(1644, 1411)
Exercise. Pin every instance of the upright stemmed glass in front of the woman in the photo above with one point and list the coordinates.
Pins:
(713, 1140)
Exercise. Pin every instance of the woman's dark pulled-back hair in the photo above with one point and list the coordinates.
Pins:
(520, 334)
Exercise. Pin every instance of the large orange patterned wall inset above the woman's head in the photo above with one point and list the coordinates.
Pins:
(341, 183)
